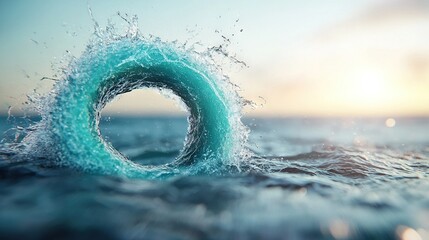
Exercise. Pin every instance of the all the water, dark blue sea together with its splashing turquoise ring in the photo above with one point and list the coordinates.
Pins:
(71, 174)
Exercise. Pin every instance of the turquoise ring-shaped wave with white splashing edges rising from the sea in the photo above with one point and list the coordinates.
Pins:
(69, 127)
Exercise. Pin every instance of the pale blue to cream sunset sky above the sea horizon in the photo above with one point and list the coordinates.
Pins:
(305, 58)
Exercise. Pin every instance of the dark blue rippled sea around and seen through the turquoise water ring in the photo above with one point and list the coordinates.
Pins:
(328, 178)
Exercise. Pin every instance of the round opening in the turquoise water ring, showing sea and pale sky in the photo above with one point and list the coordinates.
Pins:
(145, 125)
